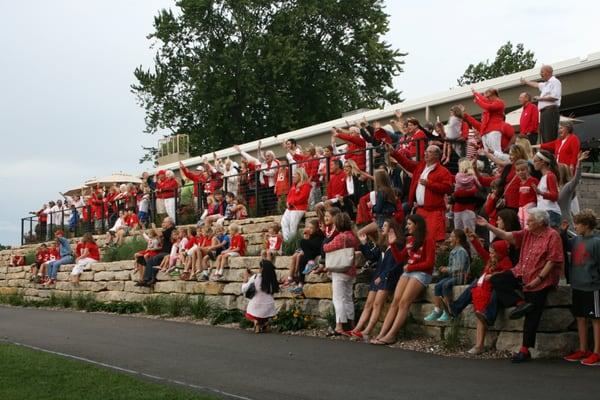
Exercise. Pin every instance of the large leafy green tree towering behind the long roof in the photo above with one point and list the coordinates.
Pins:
(231, 71)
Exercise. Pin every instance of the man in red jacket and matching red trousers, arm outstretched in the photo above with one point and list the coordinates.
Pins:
(430, 183)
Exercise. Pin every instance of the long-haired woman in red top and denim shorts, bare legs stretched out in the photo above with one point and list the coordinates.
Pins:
(419, 255)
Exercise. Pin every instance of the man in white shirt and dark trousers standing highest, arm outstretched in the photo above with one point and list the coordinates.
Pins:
(548, 102)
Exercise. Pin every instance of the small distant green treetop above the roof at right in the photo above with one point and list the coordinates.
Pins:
(508, 60)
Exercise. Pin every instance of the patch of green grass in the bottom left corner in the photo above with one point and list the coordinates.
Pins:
(30, 374)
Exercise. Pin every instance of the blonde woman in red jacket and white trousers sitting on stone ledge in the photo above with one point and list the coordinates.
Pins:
(297, 204)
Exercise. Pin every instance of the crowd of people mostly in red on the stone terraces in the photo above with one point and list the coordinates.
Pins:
(393, 193)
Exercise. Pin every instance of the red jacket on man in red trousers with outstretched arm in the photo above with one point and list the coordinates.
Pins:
(439, 182)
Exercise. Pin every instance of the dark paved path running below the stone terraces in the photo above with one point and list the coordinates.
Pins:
(283, 367)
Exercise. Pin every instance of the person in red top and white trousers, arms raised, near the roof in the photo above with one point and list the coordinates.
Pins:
(492, 118)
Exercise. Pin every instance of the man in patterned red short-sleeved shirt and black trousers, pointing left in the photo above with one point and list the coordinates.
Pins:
(537, 273)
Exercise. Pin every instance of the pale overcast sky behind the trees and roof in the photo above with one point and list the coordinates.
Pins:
(67, 113)
